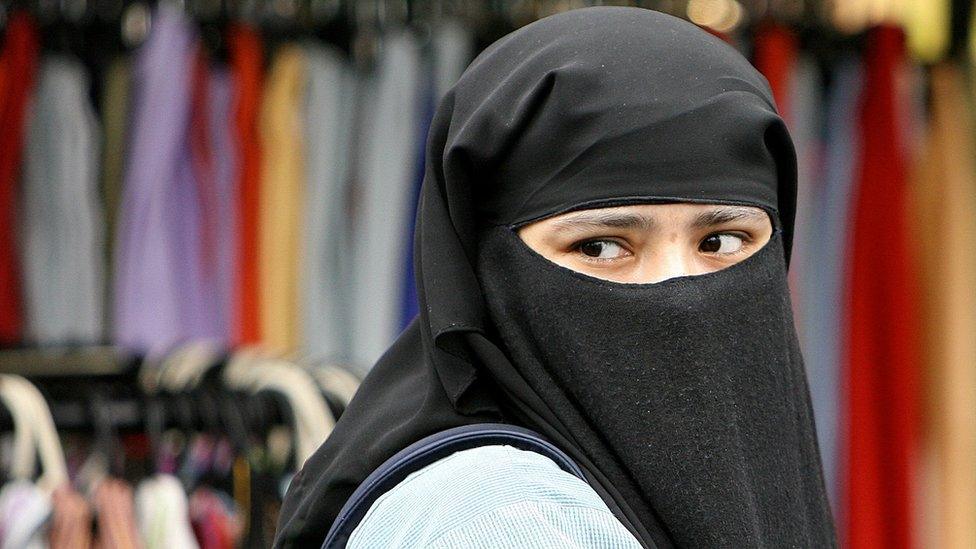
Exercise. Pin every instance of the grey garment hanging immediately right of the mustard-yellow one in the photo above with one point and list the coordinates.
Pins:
(329, 106)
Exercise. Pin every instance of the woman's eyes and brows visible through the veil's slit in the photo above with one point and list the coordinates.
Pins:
(651, 242)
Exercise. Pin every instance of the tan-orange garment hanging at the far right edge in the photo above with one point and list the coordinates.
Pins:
(944, 210)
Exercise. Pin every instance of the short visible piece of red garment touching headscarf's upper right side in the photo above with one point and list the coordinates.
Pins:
(775, 56)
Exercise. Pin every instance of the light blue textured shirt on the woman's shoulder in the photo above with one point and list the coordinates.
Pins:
(491, 497)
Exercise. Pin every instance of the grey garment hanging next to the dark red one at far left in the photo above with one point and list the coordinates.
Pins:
(62, 245)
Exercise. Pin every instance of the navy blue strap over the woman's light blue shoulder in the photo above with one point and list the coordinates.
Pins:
(429, 450)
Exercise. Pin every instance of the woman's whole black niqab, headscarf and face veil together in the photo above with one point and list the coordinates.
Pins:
(599, 107)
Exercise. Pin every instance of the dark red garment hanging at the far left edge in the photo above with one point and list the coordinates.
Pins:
(20, 51)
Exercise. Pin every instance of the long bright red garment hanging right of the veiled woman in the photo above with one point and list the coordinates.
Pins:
(882, 371)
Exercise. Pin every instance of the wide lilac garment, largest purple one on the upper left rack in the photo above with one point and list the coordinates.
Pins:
(160, 298)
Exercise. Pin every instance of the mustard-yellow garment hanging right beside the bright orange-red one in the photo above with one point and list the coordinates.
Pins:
(282, 199)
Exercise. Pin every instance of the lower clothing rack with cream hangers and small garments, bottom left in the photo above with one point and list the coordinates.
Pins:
(202, 438)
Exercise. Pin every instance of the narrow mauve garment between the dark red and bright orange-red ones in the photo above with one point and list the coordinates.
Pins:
(225, 180)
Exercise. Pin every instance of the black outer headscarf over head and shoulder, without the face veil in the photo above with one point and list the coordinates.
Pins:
(591, 107)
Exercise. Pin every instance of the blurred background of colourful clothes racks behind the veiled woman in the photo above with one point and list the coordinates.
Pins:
(206, 209)
